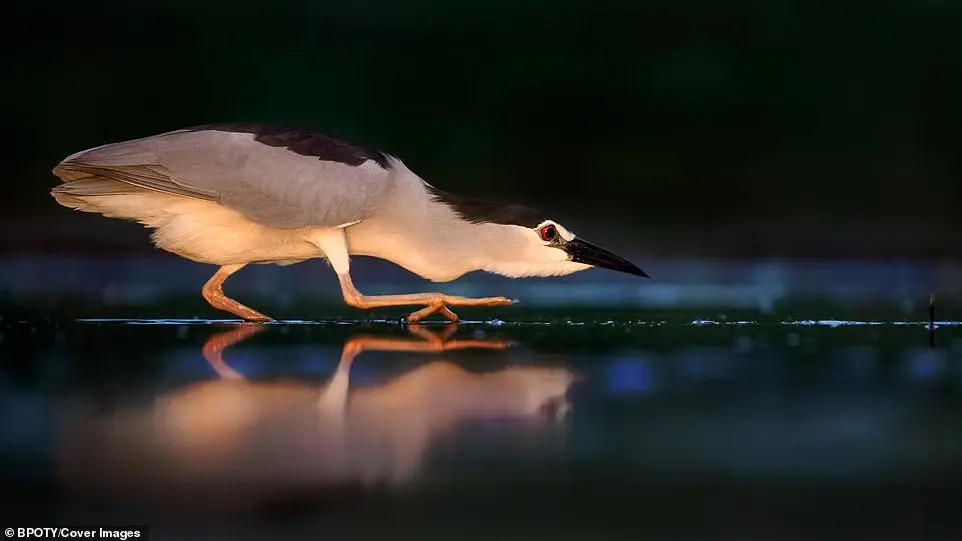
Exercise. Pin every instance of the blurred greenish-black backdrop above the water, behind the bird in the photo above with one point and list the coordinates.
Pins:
(683, 128)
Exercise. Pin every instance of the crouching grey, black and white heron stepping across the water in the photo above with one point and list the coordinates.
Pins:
(238, 193)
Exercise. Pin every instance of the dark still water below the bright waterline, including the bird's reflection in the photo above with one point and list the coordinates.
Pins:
(567, 429)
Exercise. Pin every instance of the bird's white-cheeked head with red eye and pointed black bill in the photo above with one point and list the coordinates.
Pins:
(550, 249)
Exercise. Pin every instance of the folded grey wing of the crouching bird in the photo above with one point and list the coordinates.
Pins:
(268, 183)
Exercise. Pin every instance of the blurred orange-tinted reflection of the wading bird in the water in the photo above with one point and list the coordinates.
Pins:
(244, 442)
